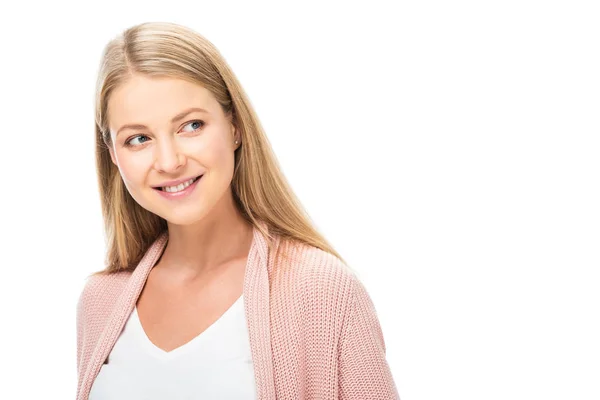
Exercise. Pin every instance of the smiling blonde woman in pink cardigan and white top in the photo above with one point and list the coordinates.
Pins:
(217, 286)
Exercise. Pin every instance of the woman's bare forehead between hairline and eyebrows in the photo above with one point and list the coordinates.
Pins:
(148, 100)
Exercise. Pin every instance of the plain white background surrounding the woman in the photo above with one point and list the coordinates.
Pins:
(448, 150)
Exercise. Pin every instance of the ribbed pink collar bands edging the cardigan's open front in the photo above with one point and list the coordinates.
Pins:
(256, 309)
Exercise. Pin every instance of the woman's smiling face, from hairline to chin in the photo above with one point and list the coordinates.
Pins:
(169, 143)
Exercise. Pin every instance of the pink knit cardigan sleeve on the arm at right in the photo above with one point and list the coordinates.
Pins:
(363, 369)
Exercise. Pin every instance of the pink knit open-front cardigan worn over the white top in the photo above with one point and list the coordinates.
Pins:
(314, 332)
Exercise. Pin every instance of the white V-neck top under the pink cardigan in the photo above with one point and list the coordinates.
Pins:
(217, 364)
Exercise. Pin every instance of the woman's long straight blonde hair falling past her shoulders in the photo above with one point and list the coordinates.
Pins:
(260, 190)
